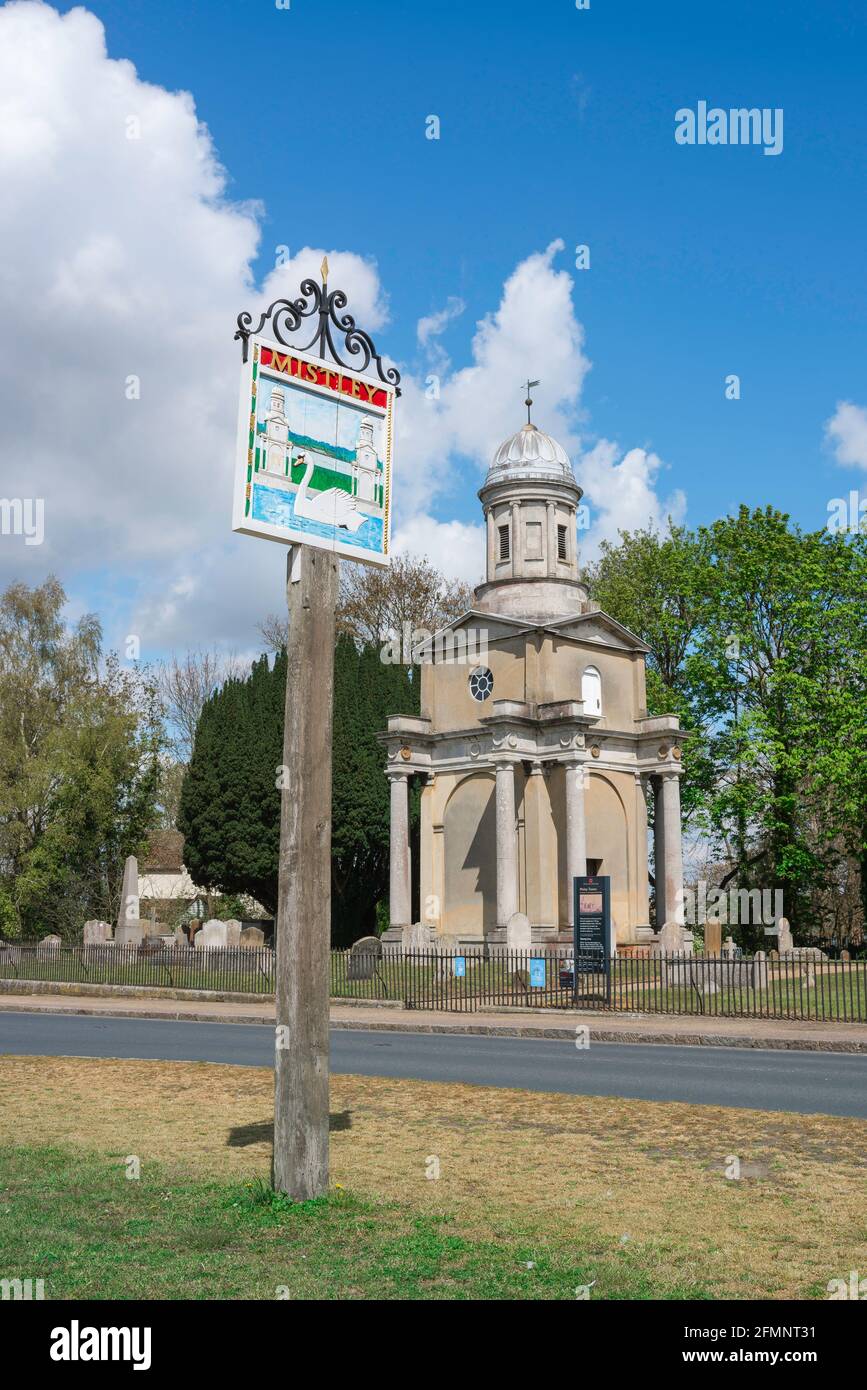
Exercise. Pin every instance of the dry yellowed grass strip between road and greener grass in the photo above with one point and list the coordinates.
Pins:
(637, 1179)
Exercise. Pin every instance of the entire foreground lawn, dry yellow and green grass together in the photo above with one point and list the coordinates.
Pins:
(537, 1193)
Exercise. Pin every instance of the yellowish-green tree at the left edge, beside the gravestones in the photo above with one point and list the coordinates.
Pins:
(80, 746)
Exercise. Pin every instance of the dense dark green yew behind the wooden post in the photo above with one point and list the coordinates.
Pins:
(231, 803)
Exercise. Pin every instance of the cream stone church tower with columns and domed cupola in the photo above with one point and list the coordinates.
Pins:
(537, 767)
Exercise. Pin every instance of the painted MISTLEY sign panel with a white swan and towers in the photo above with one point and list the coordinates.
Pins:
(315, 454)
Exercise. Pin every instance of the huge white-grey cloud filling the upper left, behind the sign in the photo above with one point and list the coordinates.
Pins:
(126, 259)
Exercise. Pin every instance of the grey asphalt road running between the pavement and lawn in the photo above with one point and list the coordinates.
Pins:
(830, 1084)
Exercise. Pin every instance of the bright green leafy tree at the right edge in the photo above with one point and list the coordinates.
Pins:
(780, 679)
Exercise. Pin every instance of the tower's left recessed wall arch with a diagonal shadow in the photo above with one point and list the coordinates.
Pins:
(470, 857)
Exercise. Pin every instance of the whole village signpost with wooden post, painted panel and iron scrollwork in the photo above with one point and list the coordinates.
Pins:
(313, 471)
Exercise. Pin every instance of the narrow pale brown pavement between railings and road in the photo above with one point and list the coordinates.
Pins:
(523, 1024)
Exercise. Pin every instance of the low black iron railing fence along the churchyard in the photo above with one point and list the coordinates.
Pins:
(791, 988)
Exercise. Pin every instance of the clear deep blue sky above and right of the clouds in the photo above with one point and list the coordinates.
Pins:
(559, 123)
